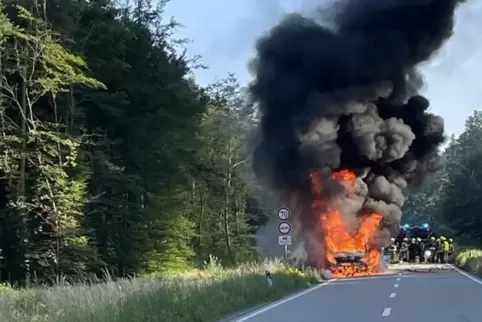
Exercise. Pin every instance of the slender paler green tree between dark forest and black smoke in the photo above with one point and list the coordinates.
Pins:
(219, 187)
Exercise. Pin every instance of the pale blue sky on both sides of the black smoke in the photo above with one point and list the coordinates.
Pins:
(224, 32)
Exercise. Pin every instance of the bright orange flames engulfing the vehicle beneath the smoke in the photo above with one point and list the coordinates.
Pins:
(337, 237)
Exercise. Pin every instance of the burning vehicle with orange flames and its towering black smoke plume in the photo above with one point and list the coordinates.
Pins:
(343, 129)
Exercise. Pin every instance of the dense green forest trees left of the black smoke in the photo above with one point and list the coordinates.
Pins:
(112, 157)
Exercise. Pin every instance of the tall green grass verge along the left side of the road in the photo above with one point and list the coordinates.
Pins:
(203, 295)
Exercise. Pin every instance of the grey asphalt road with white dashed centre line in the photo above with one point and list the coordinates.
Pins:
(446, 296)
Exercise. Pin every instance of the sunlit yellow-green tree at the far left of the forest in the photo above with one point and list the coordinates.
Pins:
(40, 159)
